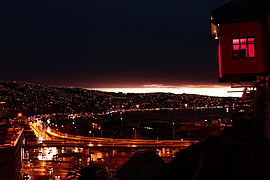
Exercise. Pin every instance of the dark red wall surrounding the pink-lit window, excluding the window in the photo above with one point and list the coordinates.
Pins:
(242, 66)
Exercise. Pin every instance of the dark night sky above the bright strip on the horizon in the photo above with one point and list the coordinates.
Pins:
(108, 43)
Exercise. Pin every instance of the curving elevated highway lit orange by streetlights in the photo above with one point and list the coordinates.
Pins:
(51, 138)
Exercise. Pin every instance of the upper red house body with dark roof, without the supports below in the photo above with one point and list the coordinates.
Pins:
(242, 31)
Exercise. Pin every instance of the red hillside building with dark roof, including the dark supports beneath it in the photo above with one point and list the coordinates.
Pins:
(242, 31)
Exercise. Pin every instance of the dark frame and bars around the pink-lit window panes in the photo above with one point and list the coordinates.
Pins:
(247, 49)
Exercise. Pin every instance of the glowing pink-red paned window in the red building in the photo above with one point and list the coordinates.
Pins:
(244, 47)
